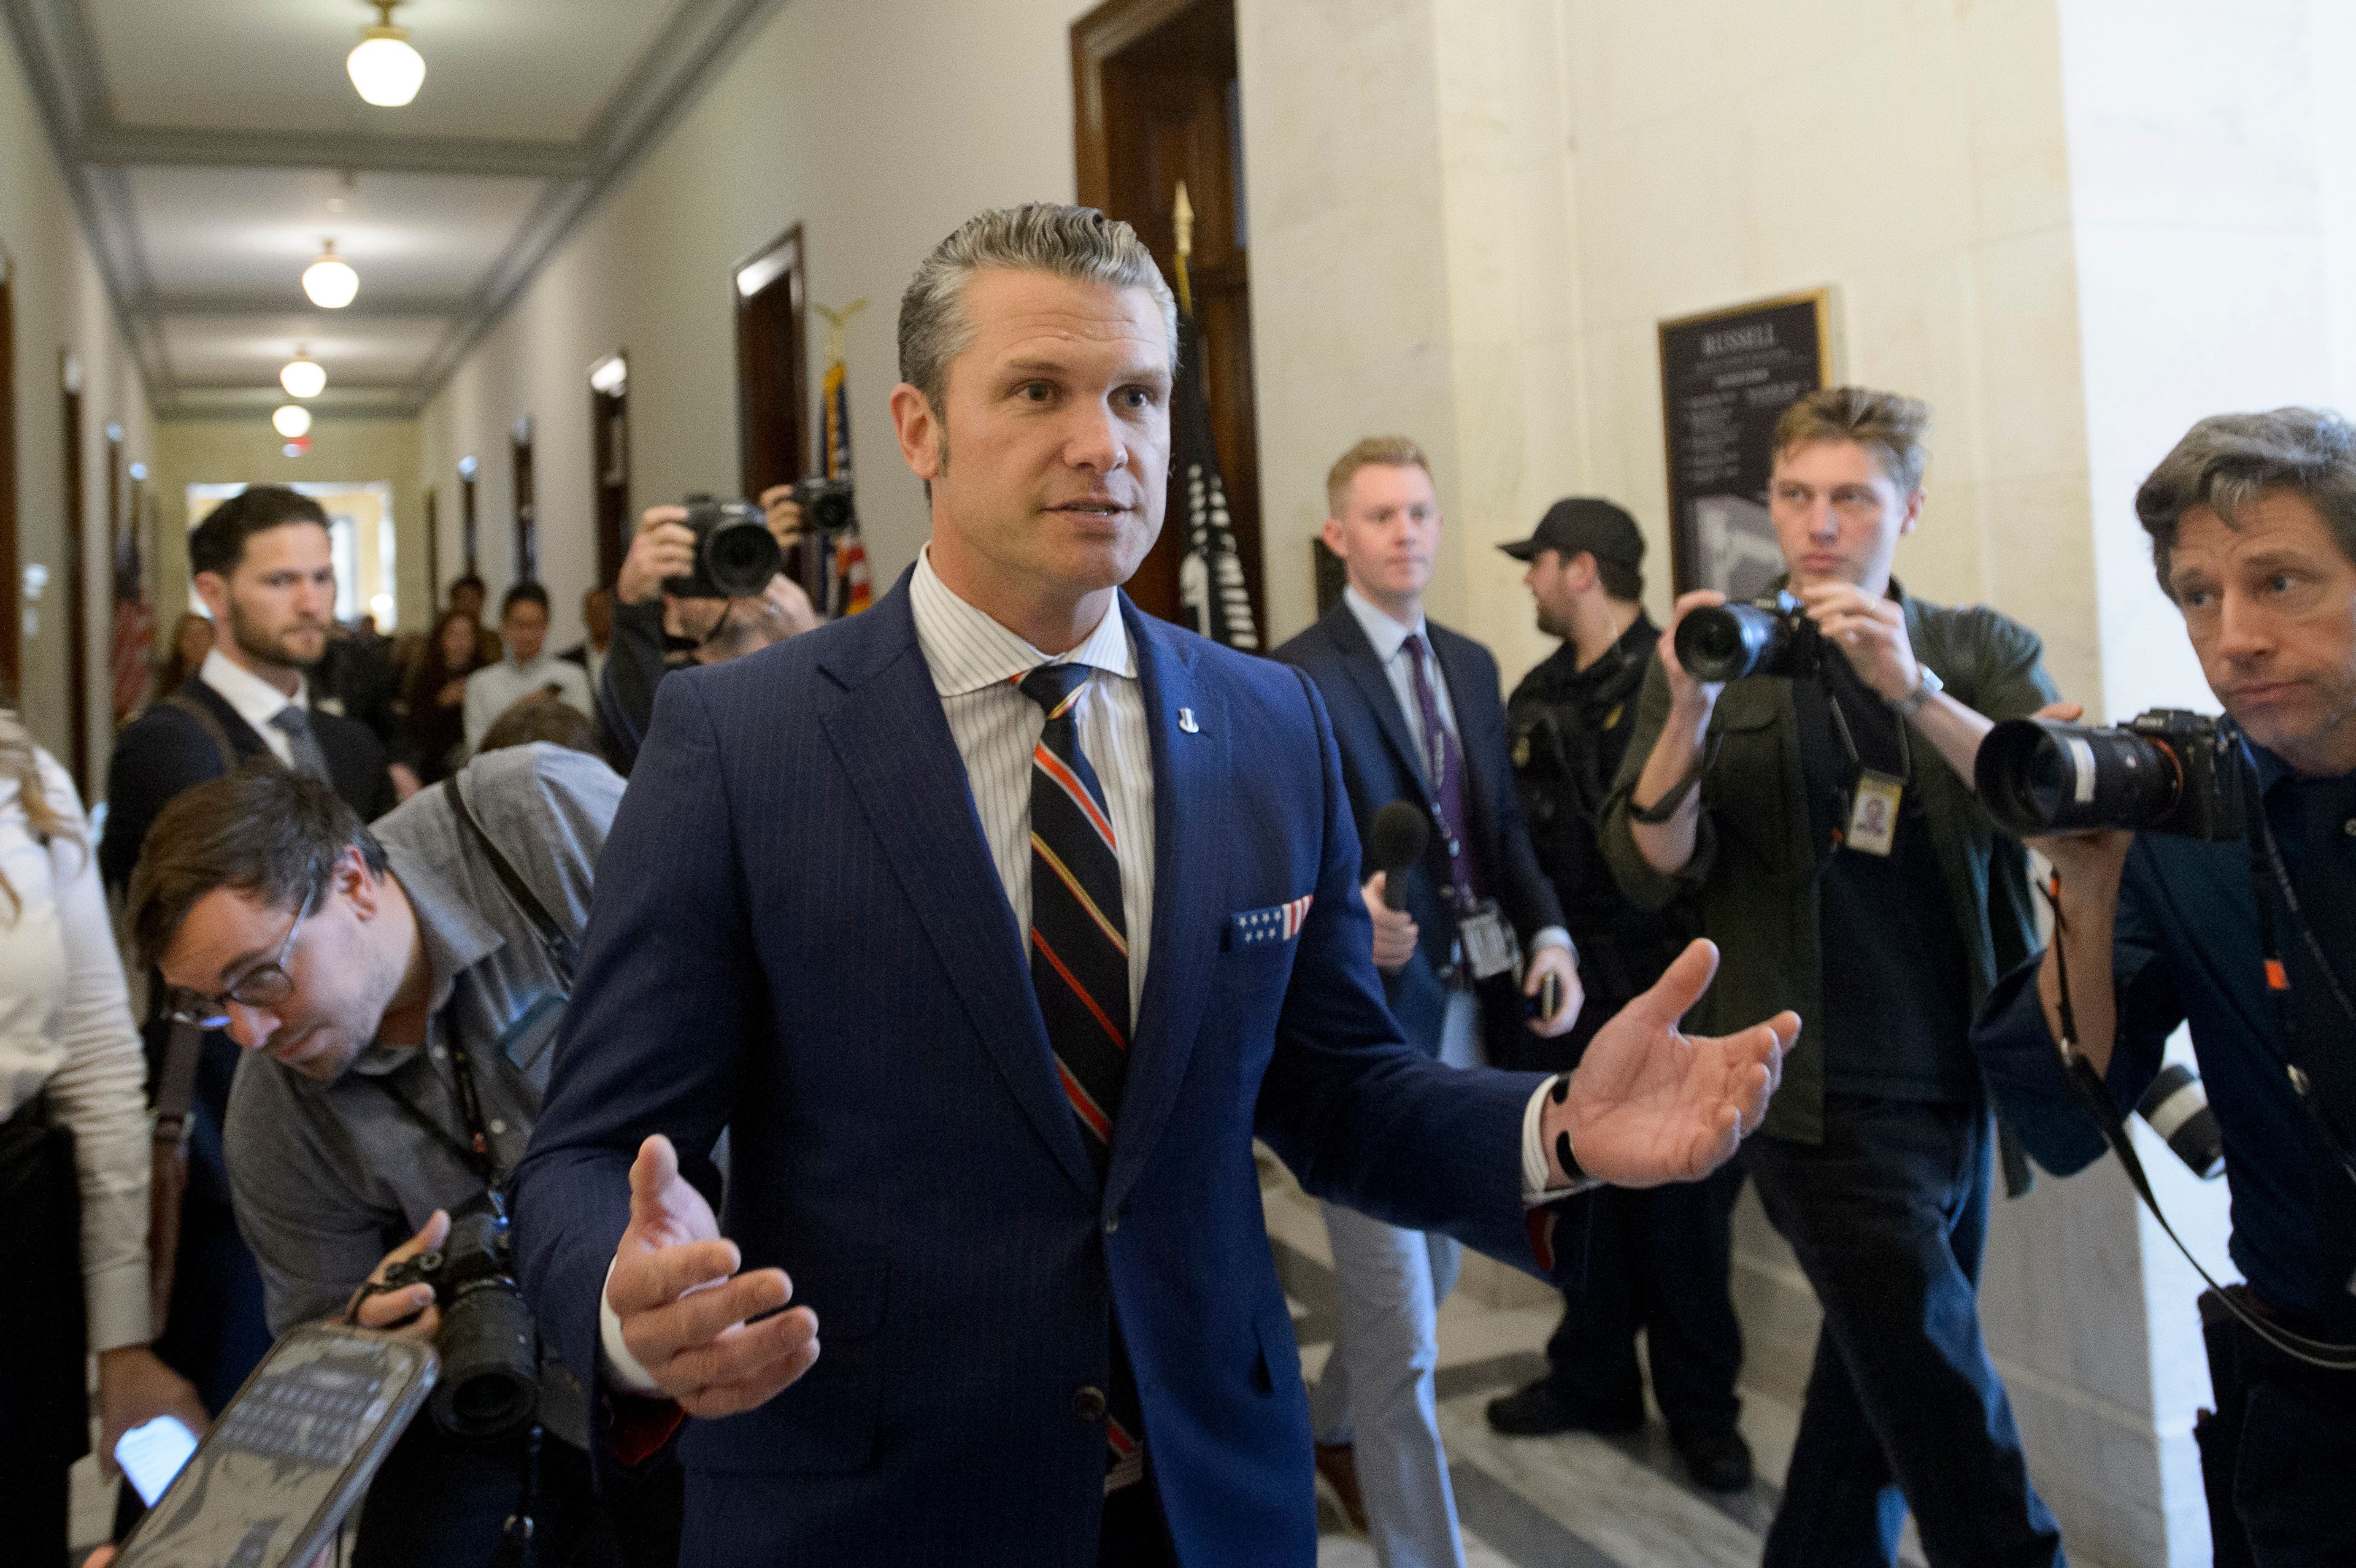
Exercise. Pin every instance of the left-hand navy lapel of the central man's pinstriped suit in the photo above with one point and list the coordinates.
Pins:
(896, 748)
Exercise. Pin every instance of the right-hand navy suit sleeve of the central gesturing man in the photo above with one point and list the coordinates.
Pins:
(1365, 1119)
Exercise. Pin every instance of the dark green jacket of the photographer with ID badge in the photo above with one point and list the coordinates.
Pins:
(1754, 865)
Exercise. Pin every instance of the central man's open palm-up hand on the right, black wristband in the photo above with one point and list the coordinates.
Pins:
(1657, 1105)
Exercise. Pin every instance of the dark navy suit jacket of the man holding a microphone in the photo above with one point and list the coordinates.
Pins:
(1379, 766)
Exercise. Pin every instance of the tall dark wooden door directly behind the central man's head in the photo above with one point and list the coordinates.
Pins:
(1158, 102)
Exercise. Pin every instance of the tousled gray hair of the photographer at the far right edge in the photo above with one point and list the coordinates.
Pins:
(2230, 460)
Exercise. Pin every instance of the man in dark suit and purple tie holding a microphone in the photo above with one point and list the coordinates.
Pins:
(1419, 719)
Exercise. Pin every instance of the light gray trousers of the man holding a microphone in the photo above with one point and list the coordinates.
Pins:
(1377, 1388)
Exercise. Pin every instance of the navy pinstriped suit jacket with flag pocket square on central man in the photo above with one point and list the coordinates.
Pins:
(800, 938)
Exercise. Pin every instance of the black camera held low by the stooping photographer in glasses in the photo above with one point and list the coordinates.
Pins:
(489, 1348)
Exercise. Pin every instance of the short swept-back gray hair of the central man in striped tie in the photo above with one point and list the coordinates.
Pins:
(1078, 244)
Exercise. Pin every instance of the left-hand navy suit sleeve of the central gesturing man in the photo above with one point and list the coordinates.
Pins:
(666, 999)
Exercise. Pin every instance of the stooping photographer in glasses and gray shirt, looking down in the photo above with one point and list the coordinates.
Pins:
(397, 995)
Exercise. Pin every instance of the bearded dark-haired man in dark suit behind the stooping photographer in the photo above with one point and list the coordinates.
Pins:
(267, 578)
